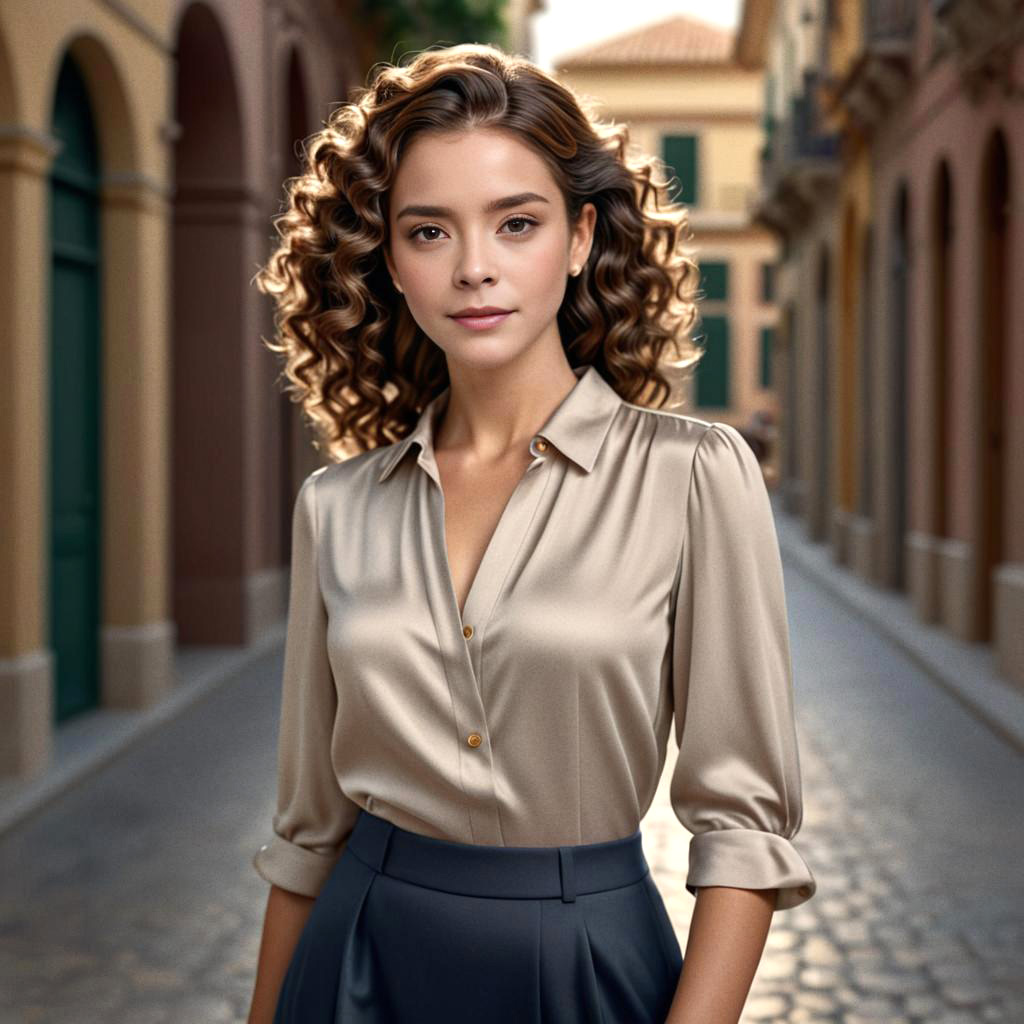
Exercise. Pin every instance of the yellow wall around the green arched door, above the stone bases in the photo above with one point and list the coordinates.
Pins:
(135, 158)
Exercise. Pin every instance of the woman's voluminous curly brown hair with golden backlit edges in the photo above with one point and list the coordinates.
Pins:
(354, 356)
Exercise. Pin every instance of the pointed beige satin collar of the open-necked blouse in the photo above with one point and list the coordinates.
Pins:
(578, 428)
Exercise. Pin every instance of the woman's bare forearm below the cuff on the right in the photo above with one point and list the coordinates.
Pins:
(727, 941)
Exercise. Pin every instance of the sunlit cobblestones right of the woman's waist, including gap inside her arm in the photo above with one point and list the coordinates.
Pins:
(914, 826)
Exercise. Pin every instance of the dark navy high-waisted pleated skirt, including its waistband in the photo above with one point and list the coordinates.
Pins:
(414, 930)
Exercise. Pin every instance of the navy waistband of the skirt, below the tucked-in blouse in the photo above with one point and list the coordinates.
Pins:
(517, 872)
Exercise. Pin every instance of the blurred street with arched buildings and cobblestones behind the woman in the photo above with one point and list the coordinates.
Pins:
(854, 173)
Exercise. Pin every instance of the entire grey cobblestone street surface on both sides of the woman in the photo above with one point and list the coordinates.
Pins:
(133, 900)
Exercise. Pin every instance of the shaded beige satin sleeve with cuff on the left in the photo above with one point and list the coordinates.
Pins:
(314, 818)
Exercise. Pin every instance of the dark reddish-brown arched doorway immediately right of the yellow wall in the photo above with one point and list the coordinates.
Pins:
(218, 465)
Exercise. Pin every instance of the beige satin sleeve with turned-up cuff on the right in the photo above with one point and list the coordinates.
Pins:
(737, 784)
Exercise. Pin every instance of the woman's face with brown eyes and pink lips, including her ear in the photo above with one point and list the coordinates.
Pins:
(477, 220)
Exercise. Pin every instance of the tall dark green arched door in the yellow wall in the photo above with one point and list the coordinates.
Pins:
(75, 366)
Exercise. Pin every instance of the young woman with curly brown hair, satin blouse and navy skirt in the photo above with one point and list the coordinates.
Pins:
(503, 601)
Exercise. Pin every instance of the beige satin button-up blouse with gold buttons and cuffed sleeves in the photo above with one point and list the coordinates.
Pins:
(634, 580)
